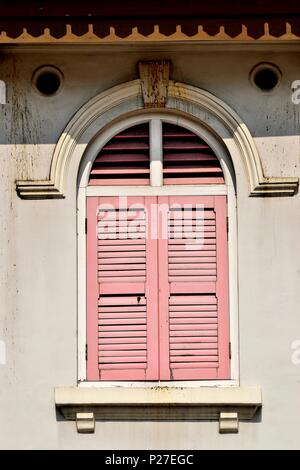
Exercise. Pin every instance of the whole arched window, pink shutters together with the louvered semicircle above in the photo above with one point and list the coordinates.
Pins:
(157, 269)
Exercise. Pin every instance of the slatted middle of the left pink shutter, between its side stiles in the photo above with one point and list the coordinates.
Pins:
(122, 289)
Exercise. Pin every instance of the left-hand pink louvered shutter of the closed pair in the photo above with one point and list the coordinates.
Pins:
(122, 316)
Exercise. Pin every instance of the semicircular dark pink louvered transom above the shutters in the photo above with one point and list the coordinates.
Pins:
(159, 154)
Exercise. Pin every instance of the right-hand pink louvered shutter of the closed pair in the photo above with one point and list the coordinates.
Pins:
(193, 277)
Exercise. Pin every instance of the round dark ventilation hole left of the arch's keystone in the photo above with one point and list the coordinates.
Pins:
(47, 80)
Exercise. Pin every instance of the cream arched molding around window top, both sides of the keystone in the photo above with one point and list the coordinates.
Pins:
(118, 102)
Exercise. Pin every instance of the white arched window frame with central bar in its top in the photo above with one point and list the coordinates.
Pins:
(156, 188)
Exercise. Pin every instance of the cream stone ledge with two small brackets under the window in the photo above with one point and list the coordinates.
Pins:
(84, 405)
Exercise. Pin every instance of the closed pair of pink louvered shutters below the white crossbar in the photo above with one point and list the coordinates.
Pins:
(157, 305)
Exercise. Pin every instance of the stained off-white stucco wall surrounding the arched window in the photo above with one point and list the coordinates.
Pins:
(38, 254)
